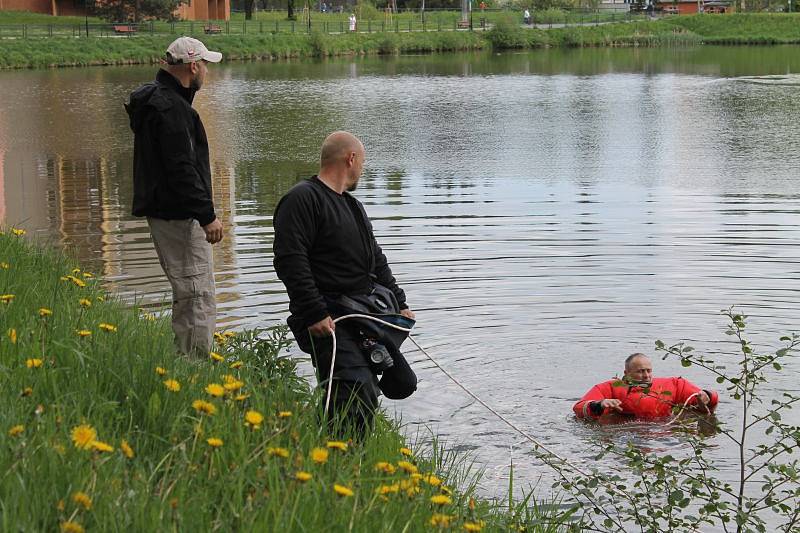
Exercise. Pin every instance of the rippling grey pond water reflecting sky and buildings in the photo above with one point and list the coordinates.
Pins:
(547, 213)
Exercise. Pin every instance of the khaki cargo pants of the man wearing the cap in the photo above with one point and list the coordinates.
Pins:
(188, 262)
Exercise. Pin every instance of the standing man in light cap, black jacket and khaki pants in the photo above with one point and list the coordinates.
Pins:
(172, 188)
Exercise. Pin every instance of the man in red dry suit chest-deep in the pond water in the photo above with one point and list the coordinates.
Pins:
(640, 395)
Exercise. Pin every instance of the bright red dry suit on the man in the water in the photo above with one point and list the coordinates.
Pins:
(637, 401)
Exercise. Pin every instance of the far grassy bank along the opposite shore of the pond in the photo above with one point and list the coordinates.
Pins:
(146, 49)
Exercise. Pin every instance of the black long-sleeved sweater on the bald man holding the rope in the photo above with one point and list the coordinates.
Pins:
(324, 246)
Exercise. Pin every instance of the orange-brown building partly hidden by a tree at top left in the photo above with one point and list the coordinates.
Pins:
(192, 10)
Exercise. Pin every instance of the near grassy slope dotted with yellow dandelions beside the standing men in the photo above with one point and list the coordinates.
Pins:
(55, 380)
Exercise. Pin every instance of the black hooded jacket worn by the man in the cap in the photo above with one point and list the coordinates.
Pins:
(171, 172)
